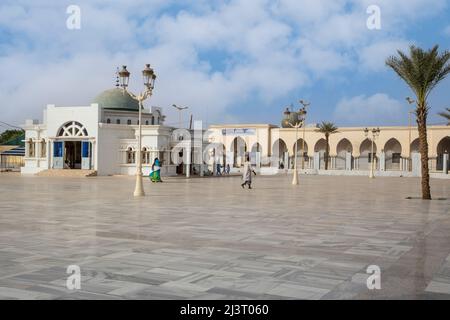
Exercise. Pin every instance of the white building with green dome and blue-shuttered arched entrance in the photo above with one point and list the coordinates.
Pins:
(101, 137)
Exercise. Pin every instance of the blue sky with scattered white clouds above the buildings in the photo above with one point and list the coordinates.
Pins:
(229, 61)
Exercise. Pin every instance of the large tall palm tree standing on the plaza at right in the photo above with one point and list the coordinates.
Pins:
(422, 71)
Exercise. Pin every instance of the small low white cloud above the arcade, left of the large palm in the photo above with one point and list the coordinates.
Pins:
(378, 109)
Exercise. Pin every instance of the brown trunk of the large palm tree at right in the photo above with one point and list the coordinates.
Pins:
(423, 146)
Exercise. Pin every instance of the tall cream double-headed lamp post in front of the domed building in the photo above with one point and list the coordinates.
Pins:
(149, 78)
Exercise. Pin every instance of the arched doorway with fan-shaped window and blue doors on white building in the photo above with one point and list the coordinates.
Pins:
(71, 149)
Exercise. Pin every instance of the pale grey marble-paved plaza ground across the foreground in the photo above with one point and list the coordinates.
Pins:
(209, 239)
